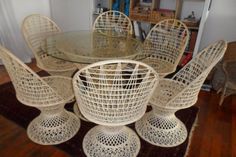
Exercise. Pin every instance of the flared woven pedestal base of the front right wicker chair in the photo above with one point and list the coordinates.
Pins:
(163, 131)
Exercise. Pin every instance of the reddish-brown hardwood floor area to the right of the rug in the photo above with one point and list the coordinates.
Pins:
(214, 135)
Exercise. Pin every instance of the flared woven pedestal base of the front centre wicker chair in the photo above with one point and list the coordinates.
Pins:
(111, 141)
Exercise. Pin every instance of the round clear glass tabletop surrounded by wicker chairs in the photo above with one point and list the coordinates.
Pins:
(89, 47)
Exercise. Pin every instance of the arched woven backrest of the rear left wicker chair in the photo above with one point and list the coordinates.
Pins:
(35, 29)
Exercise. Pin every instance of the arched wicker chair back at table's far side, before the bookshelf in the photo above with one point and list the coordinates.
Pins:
(113, 23)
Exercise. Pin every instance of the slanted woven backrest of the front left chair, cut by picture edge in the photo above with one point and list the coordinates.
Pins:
(30, 88)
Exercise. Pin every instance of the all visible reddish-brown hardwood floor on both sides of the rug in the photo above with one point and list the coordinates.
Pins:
(214, 135)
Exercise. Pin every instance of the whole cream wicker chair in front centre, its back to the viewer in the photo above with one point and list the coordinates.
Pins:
(112, 94)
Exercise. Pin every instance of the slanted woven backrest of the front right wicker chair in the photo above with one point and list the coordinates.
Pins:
(191, 77)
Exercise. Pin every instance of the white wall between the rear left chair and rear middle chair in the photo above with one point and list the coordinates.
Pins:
(72, 14)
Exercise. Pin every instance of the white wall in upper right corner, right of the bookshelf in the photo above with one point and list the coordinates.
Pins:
(221, 22)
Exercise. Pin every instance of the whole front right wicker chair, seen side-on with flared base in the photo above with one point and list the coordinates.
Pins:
(160, 126)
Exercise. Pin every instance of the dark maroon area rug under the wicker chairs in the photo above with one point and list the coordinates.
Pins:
(22, 115)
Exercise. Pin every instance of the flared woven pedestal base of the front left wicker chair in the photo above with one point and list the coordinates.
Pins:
(51, 128)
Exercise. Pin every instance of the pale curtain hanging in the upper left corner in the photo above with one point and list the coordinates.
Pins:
(10, 34)
